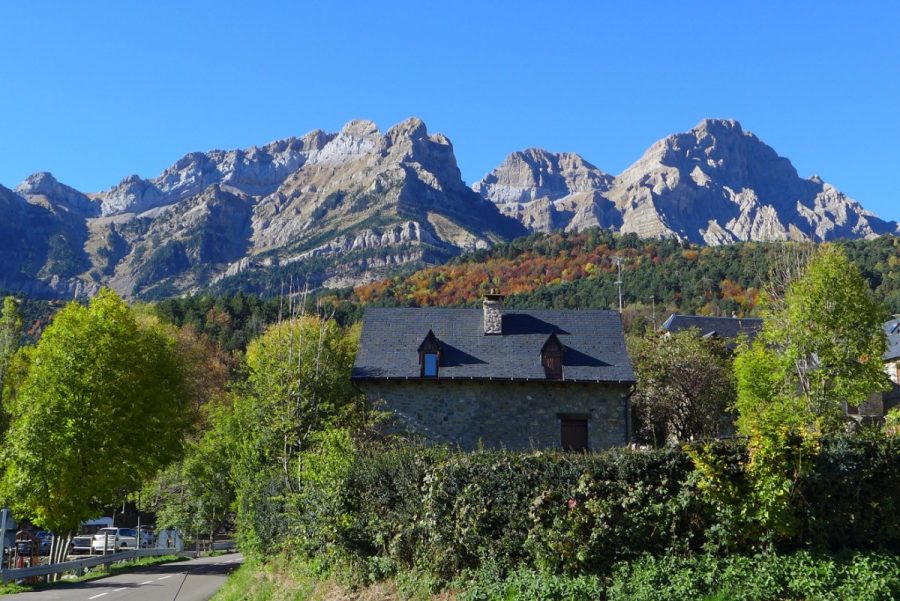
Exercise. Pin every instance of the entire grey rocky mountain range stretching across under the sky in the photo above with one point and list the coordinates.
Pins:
(339, 209)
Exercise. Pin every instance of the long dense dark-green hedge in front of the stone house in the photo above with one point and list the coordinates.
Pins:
(433, 511)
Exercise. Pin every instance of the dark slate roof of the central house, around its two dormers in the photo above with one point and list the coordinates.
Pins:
(595, 346)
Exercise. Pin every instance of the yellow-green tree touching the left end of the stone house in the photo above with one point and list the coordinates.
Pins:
(298, 384)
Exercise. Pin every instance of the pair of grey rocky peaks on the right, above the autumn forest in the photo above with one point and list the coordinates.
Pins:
(715, 184)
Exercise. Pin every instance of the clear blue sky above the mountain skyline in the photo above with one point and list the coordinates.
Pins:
(94, 91)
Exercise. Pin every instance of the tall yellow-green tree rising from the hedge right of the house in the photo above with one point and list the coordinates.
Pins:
(820, 349)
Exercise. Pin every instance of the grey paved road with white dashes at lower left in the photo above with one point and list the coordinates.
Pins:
(194, 580)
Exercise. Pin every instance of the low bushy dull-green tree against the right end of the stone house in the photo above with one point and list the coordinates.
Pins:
(685, 386)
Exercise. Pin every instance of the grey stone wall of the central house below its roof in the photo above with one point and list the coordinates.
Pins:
(511, 415)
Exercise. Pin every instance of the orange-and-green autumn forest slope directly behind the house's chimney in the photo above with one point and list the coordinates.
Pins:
(568, 270)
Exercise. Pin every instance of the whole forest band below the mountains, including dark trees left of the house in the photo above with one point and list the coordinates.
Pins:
(560, 270)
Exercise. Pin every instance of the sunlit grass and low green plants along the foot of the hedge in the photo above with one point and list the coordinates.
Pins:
(800, 576)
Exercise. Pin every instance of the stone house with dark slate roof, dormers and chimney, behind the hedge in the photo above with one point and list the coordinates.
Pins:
(502, 379)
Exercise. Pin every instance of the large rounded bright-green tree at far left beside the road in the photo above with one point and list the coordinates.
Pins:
(100, 407)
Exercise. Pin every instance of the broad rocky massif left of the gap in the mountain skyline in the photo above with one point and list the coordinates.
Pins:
(325, 208)
